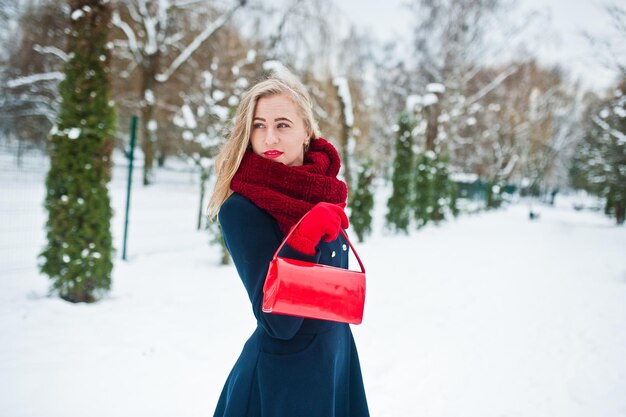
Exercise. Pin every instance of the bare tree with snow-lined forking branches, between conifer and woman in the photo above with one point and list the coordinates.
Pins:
(157, 44)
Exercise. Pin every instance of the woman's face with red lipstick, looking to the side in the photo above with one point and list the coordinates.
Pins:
(278, 131)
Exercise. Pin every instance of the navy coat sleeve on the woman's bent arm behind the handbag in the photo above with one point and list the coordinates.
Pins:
(251, 237)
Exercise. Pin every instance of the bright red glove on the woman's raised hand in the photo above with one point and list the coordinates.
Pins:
(323, 221)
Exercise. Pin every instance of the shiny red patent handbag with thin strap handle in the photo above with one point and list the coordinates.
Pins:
(305, 289)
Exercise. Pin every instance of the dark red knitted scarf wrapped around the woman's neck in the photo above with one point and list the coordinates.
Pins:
(287, 193)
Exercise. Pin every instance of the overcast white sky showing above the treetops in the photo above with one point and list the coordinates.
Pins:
(559, 39)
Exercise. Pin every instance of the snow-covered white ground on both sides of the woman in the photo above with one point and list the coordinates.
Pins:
(489, 315)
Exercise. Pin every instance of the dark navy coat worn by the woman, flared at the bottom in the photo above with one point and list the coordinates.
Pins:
(290, 366)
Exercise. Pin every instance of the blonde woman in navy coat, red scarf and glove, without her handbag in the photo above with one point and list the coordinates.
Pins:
(274, 169)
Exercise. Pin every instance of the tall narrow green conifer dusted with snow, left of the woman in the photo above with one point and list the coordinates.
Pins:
(78, 254)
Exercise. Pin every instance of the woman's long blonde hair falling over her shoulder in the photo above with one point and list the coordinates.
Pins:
(229, 157)
